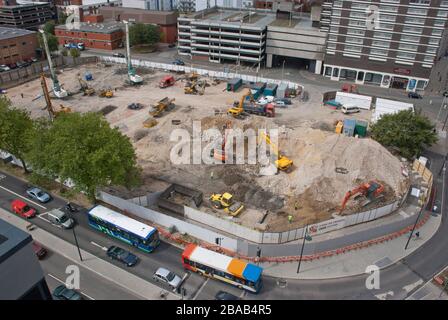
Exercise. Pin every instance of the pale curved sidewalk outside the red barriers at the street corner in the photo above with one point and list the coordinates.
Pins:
(354, 263)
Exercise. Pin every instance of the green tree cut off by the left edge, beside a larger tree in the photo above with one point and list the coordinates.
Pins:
(16, 127)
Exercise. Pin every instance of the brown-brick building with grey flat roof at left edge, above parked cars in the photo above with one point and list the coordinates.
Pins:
(17, 44)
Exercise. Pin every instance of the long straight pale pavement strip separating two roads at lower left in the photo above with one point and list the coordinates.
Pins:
(101, 267)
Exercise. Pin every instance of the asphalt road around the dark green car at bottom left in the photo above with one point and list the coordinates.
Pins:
(92, 286)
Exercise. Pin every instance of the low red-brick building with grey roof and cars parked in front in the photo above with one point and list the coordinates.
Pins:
(106, 36)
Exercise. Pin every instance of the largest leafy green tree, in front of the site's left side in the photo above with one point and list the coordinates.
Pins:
(85, 149)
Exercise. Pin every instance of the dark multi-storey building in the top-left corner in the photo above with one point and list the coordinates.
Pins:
(24, 16)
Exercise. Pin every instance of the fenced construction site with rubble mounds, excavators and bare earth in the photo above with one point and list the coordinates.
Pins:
(320, 173)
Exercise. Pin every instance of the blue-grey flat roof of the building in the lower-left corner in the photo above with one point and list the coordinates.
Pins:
(12, 239)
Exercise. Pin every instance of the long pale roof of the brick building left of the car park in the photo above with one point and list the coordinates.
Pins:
(140, 15)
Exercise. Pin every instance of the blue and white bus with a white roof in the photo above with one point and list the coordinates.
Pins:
(126, 229)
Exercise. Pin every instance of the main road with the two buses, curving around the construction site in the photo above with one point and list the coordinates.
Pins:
(397, 281)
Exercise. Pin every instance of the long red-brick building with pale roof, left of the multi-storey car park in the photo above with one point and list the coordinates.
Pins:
(166, 20)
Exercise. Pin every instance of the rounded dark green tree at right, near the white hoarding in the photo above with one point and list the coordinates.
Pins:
(407, 131)
